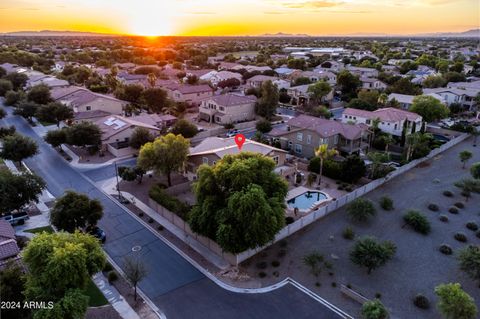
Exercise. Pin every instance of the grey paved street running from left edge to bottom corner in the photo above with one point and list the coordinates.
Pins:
(173, 284)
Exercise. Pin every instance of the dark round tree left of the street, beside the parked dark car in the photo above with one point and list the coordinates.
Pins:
(74, 211)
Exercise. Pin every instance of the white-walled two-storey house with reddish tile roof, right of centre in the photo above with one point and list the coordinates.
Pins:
(391, 120)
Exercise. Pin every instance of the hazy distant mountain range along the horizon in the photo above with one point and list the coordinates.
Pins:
(474, 33)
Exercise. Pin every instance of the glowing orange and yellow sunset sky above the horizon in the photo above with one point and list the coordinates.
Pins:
(245, 17)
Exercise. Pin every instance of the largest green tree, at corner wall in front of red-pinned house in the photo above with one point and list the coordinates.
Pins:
(240, 202)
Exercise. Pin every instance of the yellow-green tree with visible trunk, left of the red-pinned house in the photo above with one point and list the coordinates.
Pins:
(165, 155)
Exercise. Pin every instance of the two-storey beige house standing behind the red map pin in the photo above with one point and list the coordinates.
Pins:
(228, 108)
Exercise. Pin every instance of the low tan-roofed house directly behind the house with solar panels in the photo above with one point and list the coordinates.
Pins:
(83, 100)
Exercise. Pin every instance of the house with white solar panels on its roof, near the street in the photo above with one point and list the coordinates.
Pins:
(116, 133)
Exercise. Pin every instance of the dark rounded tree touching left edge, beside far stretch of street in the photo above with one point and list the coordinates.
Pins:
(17, 147)
